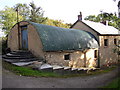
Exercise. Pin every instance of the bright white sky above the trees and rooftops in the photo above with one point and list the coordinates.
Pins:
(68, 10)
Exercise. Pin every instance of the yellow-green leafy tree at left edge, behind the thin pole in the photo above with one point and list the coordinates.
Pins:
(8, 18)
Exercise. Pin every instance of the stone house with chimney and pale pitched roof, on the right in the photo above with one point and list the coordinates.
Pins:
(108, 38)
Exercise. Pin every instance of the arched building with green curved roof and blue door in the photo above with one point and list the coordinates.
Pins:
(58, 46)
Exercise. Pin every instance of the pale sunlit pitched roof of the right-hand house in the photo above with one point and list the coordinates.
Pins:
(100, 28)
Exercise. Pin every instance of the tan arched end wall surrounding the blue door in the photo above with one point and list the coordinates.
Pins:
(34, 42)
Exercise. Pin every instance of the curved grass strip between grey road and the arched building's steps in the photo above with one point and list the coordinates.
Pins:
(26, 71)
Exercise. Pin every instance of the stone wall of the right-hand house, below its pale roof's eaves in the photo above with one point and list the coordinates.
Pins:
(107, 55)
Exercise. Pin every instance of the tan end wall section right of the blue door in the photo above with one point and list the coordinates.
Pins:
(34, 42)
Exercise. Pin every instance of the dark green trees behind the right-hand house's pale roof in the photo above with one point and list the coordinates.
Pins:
(112, 19)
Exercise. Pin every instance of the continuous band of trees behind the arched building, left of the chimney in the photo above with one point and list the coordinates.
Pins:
(8, 16)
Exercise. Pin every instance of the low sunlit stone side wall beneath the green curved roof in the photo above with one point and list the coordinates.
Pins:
(77, 58)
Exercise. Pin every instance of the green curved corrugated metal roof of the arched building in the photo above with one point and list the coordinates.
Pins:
(59, 39)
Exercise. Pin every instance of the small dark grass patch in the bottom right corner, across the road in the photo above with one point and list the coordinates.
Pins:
(114, 84)
